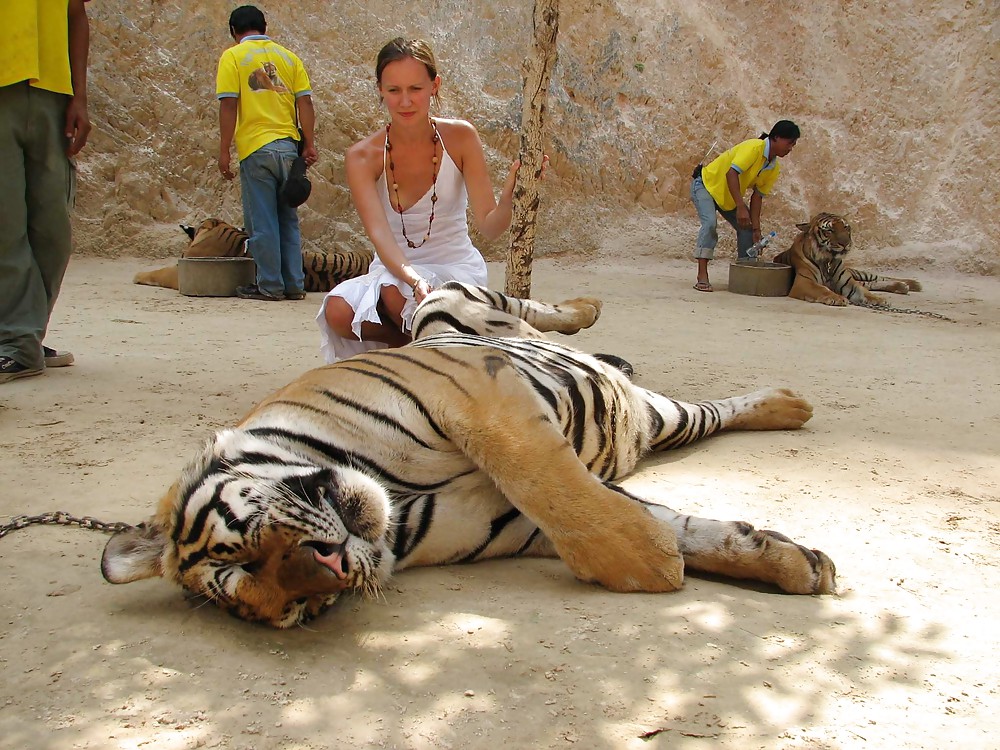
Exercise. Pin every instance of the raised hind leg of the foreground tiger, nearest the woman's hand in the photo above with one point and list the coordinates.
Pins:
(472, 309)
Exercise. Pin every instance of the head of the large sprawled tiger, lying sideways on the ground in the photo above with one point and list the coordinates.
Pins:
(262, 532)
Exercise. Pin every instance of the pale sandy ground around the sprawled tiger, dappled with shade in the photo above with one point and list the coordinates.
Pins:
(896, 477)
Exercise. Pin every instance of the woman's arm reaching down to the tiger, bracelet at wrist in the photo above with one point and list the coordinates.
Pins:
(363, 164)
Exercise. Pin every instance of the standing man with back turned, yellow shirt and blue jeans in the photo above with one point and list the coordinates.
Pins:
(264, 99)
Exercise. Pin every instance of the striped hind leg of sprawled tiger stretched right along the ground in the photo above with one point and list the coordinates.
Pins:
(676, 423)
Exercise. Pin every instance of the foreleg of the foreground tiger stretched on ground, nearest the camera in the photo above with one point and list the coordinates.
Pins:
(738, 550)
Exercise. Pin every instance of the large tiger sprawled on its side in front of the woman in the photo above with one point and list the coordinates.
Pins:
(480, 439)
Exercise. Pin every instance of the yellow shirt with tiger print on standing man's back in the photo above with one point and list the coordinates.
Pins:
(266, 78)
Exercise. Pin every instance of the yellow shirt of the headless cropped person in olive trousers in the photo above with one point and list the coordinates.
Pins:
(37, 45)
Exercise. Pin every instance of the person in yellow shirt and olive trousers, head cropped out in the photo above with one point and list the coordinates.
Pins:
(43, 125)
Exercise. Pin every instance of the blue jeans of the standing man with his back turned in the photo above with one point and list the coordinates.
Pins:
(275, 242)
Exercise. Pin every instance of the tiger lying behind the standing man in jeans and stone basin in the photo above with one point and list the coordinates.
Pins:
(214, 238)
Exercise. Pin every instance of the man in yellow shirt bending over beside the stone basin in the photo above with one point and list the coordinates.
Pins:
(720, 187)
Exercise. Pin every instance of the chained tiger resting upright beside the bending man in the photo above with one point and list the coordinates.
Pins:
(817, 257)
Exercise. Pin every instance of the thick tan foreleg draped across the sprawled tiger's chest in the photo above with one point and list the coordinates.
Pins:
(496, 420)
